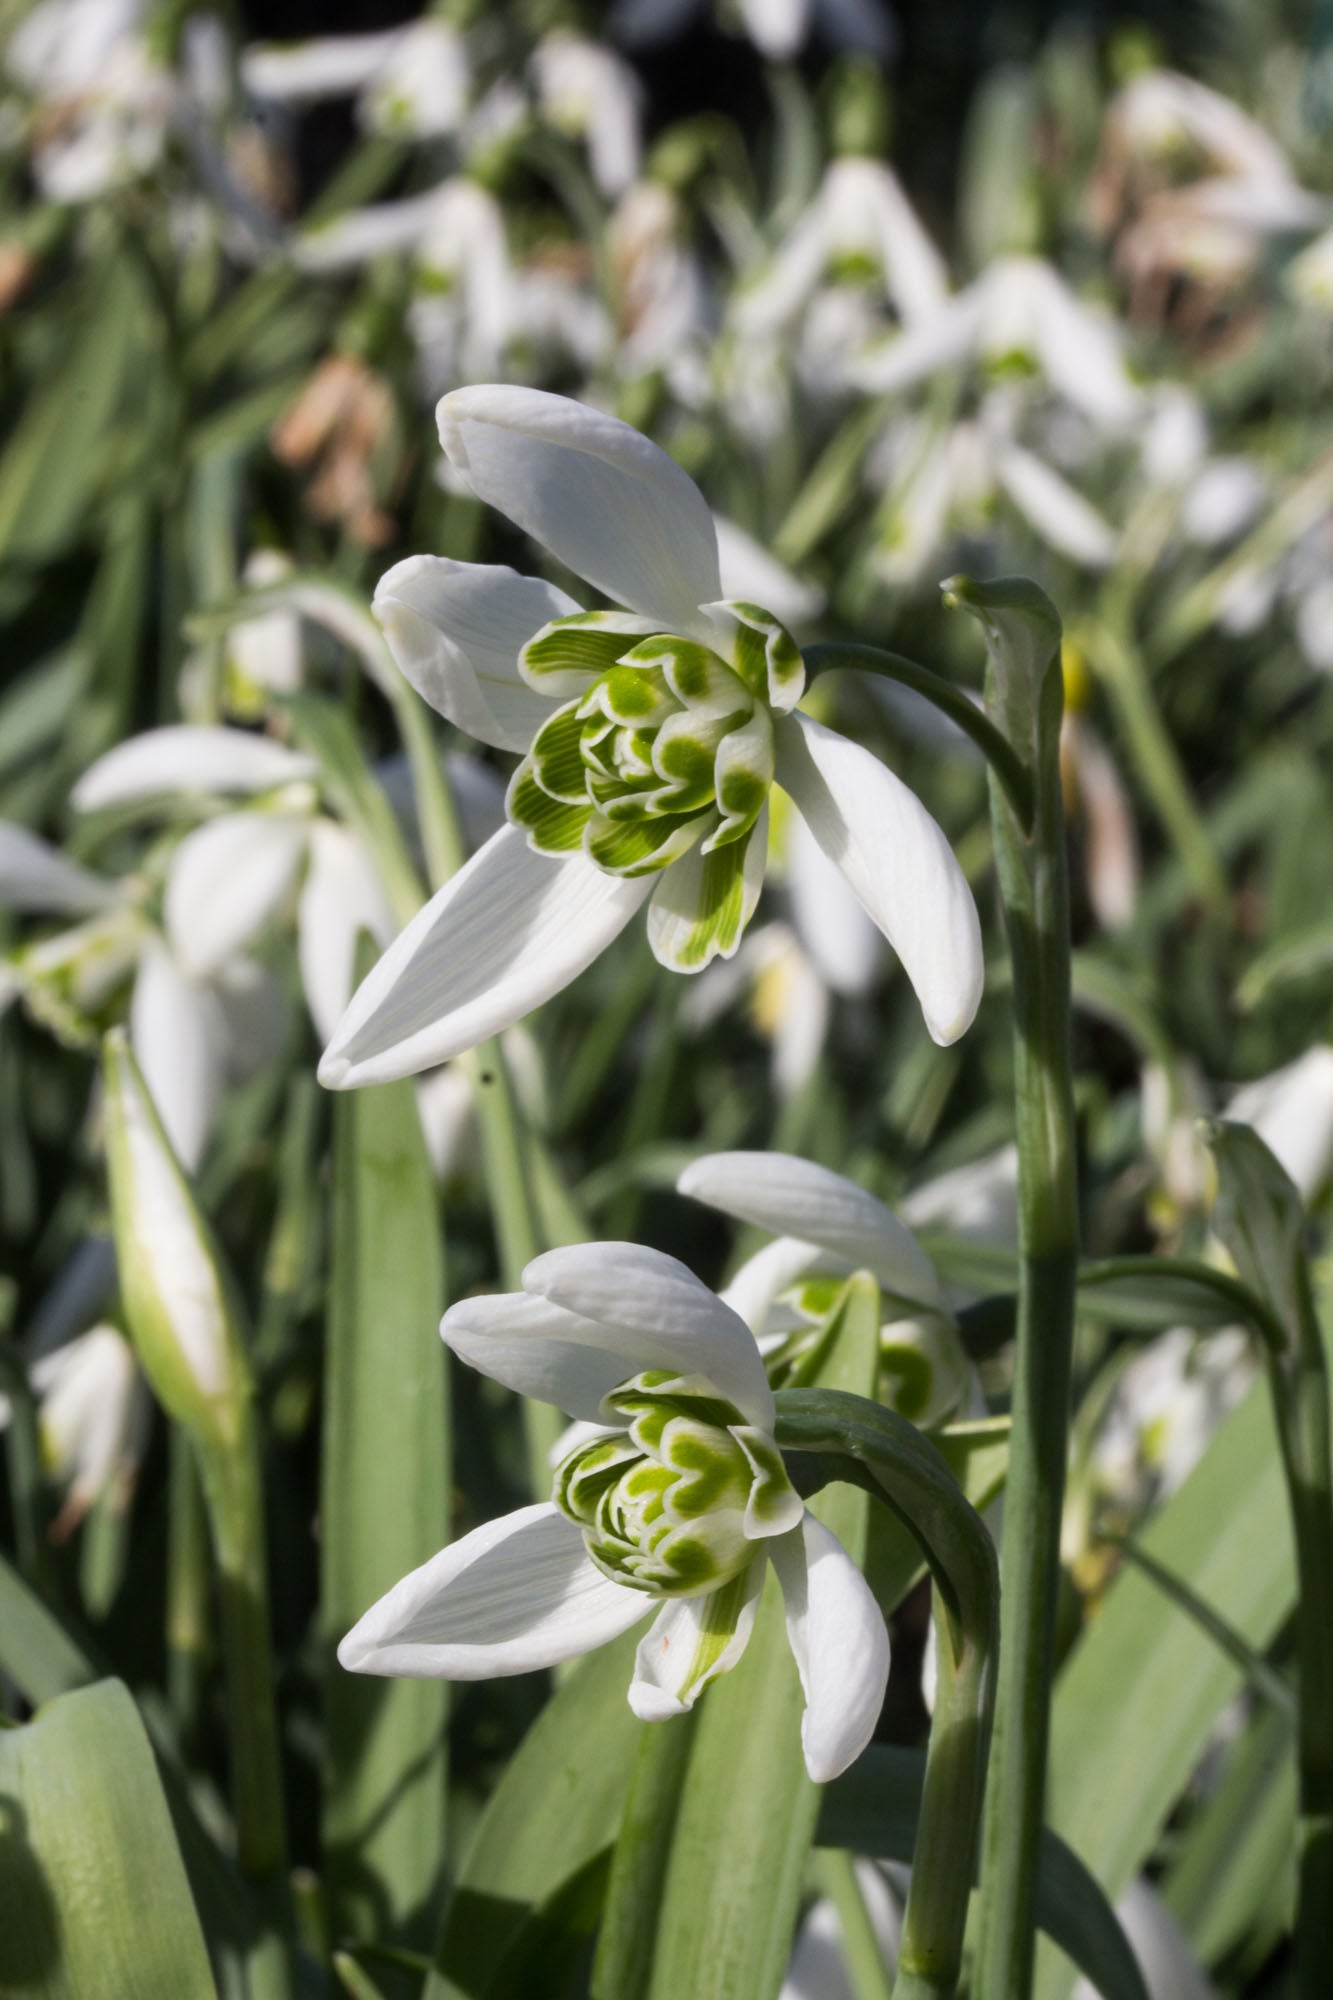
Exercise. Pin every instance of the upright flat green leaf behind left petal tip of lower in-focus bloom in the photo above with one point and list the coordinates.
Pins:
(383, 1513)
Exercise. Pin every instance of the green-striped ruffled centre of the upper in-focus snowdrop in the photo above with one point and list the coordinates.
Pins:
(661, 749)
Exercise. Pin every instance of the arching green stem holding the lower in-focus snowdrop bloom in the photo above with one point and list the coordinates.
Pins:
(844, 1437)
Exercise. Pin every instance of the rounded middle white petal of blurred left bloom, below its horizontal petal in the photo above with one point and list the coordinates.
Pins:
(227, 881)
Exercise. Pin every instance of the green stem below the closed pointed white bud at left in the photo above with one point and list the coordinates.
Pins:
(235, 1499)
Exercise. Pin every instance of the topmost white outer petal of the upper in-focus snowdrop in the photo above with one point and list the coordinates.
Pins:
(599, 495)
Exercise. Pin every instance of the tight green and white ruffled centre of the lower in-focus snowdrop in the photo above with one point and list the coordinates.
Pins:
(678, 1503)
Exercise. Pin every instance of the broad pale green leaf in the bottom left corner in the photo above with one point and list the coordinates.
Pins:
(93, 1891)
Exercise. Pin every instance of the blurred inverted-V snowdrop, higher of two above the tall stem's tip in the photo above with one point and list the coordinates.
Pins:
(1018, 311)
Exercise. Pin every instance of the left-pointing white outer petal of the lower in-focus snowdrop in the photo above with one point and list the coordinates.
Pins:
(515, 1595)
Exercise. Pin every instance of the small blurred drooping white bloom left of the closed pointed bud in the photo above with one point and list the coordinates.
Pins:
(93, 1417)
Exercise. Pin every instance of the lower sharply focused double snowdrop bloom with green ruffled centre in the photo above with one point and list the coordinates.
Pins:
(674, 1507)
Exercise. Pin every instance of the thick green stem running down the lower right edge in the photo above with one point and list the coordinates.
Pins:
(1302, 1403)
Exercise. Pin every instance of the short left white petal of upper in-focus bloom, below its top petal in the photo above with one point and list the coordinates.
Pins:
(457, 629)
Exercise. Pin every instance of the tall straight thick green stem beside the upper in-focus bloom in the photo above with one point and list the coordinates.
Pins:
(1036, 895)
